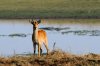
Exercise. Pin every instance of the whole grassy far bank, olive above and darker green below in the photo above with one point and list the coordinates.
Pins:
(50, 8)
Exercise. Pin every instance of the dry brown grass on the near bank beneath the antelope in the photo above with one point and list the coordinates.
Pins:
(55, 58)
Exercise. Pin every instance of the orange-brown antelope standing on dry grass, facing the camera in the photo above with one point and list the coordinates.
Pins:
(39, 37)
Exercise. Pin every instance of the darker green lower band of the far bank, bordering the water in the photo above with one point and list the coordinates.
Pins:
(77, 14)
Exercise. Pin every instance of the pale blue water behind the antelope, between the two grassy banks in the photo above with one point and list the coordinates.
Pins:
(74, 36)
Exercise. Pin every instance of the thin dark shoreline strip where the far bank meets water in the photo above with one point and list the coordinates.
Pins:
(90, 17)
